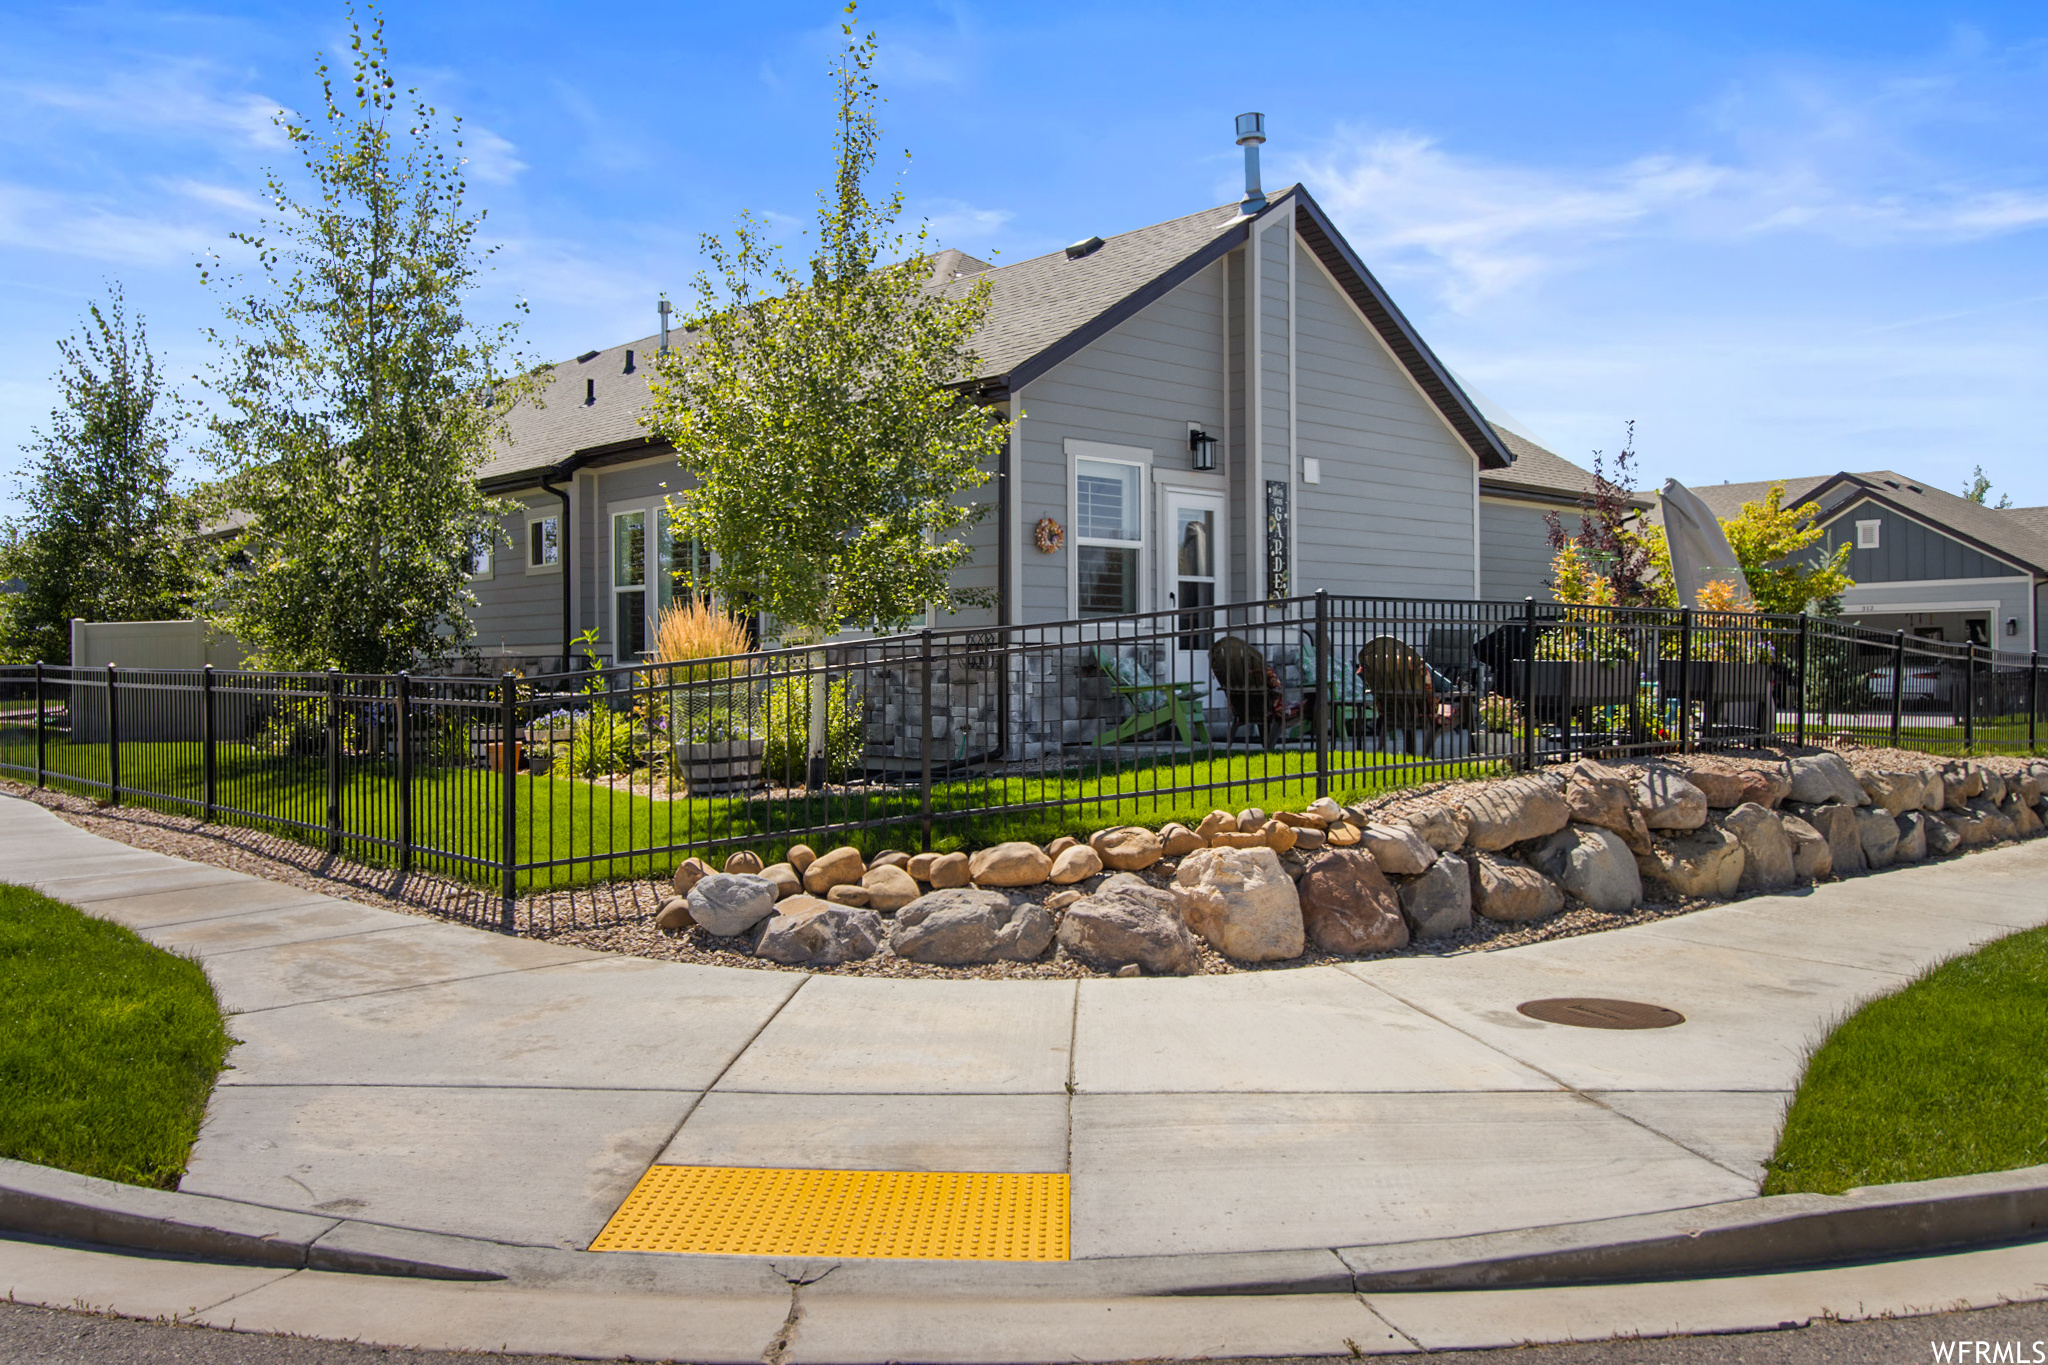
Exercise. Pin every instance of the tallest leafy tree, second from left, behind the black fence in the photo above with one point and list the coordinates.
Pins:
(357, 396)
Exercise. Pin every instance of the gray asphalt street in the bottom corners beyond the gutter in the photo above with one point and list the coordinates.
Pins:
(52, 1337)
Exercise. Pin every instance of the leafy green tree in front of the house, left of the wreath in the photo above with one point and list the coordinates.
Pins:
(822, 412)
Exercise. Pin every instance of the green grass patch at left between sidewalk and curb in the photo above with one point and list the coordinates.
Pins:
(108, 1047)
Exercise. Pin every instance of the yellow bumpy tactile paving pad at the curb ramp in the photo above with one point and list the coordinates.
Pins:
(925, 1215)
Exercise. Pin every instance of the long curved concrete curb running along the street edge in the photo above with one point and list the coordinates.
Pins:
(1740, 1237)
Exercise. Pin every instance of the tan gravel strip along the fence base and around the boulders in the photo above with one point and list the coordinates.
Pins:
(620, 916)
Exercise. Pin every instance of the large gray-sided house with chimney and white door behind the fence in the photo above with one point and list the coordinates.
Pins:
(1345, 453)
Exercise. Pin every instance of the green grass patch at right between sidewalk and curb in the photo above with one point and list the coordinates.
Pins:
(1945, 1077)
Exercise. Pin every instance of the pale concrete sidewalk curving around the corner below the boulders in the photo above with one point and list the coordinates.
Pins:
(421, 1075)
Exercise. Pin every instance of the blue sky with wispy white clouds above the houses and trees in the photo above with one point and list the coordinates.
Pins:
(1783, 238)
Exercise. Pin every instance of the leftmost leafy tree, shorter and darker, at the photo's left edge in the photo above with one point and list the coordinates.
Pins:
(108, 533)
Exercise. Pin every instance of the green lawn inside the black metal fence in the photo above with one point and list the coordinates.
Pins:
(603, 830)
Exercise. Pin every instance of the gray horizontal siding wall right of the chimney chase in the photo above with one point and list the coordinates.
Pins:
(1394, 515)
